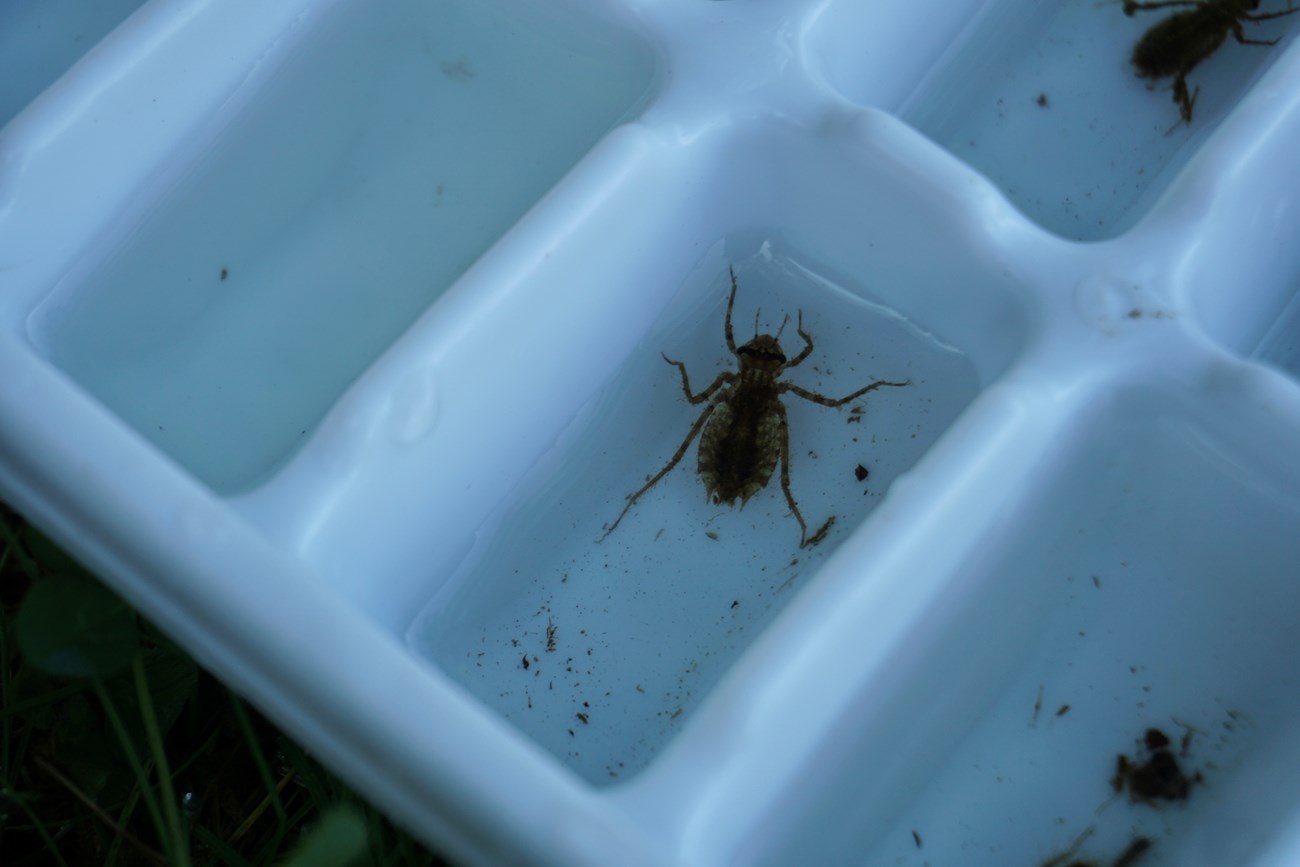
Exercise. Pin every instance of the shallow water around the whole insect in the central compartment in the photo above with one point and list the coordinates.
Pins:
(600, 651)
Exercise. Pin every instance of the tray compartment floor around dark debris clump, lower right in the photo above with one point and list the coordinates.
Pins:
(1111, 618)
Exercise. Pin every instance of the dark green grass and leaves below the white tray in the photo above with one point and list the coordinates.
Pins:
(118, 749)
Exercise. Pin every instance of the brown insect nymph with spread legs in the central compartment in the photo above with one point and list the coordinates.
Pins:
(743, 431)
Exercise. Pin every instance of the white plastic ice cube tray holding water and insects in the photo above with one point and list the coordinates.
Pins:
(332, 339)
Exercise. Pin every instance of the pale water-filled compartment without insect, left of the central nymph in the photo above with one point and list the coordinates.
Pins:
(227, 319)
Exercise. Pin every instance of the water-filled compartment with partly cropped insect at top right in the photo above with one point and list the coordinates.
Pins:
(1043, 99)
